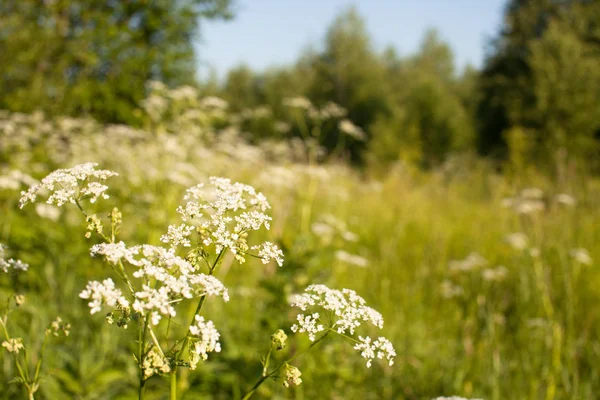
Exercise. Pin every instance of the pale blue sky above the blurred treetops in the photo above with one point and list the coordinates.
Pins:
(274, 32)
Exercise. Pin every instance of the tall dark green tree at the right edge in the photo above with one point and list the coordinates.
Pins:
(540, 76)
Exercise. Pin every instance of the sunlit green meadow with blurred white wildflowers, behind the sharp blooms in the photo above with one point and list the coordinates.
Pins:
(487, 282)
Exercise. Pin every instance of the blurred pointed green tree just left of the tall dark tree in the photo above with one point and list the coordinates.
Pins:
(430, 118)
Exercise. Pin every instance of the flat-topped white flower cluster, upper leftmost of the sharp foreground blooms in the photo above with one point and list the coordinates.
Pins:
(70, 185)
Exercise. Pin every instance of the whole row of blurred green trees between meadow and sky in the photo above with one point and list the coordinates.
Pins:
(534, 101)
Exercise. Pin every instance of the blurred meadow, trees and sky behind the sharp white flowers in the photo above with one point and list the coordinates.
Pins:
(402, 145)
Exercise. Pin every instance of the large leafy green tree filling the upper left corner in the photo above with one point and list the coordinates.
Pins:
(95, 57)
